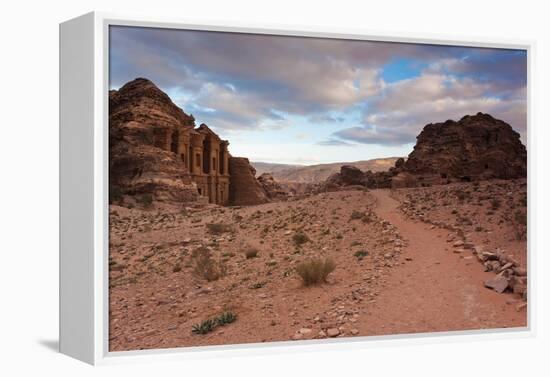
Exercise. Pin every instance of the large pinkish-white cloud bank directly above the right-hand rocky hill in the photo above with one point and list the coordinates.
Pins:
(405, 107)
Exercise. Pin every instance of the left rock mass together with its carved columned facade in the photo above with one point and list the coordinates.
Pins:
(155, 149)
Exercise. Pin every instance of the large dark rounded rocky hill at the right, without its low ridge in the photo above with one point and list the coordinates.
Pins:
(475, 147)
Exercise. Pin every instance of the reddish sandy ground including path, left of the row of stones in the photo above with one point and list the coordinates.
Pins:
(409, 281)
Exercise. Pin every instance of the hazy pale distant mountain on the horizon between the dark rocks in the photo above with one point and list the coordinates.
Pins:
(318, 173)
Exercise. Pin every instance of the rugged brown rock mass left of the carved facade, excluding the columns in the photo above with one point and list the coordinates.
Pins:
(142, 120)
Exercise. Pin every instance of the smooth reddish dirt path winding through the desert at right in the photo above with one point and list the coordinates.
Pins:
(435, 289)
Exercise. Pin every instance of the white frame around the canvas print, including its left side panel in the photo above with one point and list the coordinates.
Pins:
(84, 86)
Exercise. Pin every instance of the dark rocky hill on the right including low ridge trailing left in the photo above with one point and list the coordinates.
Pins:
(476, 147)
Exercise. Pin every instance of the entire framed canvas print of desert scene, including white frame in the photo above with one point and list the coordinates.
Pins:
(233, 189)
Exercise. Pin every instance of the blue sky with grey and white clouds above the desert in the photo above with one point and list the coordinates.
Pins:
(297, 100)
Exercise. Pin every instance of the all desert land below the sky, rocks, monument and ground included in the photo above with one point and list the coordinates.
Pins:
(207, 248)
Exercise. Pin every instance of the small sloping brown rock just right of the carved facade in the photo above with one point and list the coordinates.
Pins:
(244, 189)
